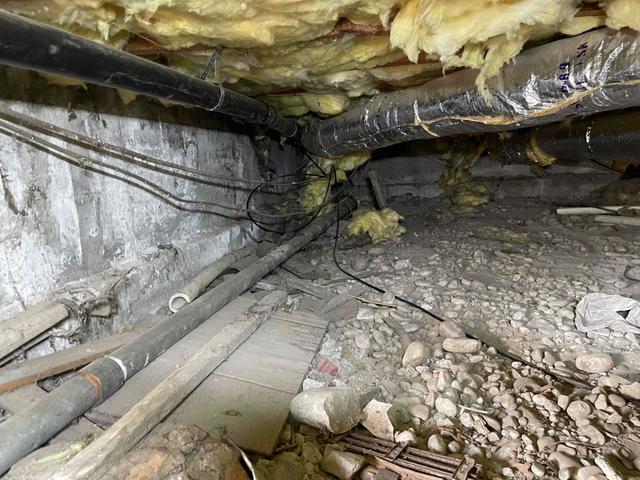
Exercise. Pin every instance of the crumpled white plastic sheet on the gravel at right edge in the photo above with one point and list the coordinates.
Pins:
(598, 311)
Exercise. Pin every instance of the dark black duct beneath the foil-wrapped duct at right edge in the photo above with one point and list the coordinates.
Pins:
(605, 138)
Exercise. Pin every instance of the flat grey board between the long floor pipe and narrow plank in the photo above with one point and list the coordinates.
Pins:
(113, 408)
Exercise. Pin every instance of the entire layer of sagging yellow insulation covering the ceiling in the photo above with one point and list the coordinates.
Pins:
(298, 53)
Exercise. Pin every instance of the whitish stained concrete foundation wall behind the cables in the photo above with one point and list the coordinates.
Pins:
(64, 228)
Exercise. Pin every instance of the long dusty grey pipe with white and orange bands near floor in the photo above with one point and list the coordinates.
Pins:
(30, 428)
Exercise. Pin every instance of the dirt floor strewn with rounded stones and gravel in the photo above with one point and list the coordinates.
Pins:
(512, 275)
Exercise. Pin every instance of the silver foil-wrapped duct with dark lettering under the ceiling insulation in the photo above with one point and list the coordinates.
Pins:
(594, 72)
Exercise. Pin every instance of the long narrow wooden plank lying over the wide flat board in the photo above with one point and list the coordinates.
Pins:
(104, 452)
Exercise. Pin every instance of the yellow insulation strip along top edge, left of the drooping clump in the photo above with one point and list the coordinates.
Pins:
(183, 23)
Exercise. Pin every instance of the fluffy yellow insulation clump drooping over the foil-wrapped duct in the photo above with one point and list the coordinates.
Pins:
(481, 34)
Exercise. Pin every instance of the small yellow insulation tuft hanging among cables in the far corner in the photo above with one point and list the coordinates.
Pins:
(333, 170)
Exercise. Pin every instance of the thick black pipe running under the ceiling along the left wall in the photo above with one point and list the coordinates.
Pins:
(34, 46)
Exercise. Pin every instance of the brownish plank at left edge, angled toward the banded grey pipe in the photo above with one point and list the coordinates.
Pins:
(30, 371)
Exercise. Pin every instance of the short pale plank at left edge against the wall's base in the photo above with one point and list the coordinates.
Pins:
(18, 330)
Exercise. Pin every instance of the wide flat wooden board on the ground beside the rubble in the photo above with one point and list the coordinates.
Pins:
(249, 394)
